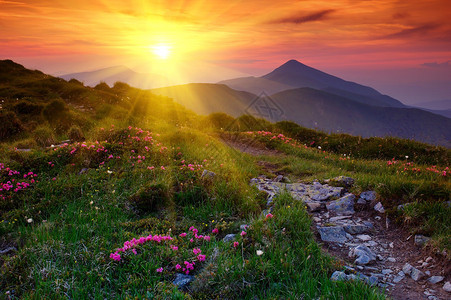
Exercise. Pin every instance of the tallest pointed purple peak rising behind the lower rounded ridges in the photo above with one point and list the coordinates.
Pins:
(294, 74)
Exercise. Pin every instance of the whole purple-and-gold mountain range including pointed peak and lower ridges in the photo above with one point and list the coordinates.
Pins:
(315, 99)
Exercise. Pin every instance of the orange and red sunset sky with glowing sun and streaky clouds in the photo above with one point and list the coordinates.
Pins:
(402, 48)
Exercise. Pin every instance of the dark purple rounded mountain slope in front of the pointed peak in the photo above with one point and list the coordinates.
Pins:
(318, 109)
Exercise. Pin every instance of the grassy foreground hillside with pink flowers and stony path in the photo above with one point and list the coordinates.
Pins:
(142, 198)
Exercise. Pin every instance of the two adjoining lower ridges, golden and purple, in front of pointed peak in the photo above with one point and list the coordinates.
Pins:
(316, 109)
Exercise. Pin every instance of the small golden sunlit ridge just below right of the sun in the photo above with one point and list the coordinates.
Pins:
(206, 98)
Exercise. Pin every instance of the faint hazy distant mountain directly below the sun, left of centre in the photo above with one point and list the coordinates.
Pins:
(118, 73)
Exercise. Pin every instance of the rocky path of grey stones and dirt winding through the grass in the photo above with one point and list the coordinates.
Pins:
(355, 229)
